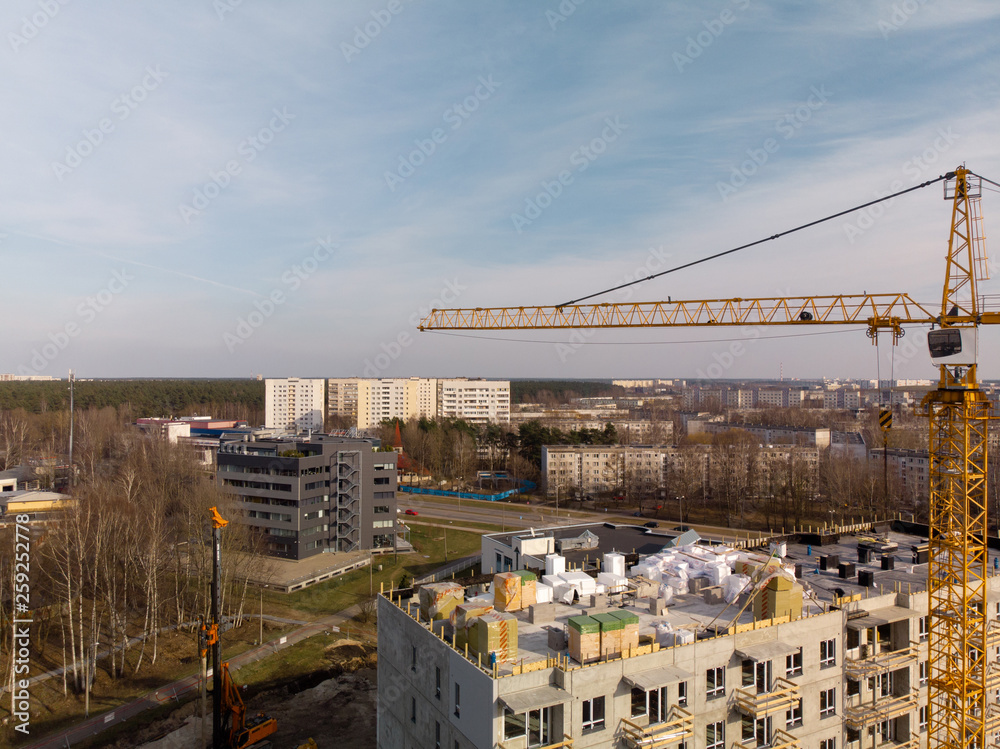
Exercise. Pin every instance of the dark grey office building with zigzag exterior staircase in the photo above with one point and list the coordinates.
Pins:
(310, 496)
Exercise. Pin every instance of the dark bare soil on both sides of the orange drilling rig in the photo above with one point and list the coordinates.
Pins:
(334, 705)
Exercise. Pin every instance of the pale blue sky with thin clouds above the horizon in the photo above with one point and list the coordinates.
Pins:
(226, 188)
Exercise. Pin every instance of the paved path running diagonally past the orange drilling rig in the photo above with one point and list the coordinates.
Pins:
(182, 687)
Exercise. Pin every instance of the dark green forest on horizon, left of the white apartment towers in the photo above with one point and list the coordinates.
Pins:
(234, 399)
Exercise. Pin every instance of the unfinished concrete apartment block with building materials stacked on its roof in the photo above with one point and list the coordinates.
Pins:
(817, 640)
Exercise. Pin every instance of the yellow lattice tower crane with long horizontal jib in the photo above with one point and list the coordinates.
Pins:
(961, 635)
